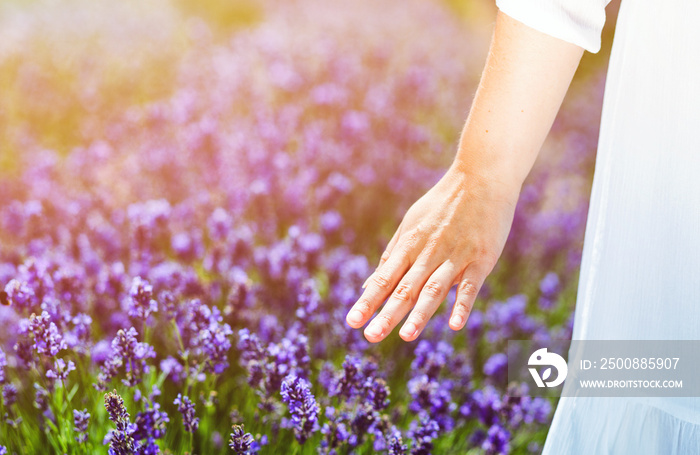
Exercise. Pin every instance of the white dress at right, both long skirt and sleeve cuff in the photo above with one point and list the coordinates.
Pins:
(640, 272)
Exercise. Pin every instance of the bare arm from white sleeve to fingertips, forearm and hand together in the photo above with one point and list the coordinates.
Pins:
(456, 232)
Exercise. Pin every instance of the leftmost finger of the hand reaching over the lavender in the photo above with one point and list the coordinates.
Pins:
(380, 286)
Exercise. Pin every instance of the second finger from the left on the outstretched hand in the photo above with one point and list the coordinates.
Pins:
(401, 301)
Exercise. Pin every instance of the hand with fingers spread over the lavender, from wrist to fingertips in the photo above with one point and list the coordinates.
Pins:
(454, 234)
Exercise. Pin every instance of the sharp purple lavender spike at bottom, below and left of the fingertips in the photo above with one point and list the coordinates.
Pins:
(296, 393)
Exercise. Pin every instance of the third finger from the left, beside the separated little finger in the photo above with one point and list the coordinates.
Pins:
(431, 296)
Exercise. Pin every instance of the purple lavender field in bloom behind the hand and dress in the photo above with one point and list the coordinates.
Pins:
(191, 198)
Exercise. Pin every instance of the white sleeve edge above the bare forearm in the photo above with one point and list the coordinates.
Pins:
(577, 21)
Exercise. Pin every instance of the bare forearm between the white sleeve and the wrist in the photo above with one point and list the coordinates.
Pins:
(526, 76)
